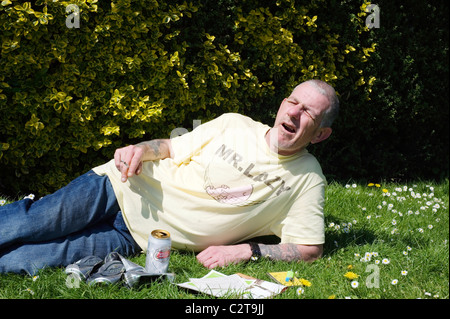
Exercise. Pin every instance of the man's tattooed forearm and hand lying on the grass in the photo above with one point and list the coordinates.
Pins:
(219, 256)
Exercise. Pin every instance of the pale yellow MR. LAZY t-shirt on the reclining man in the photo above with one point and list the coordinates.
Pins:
(224, 185)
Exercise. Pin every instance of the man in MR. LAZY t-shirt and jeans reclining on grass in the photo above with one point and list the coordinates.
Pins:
(227, 181)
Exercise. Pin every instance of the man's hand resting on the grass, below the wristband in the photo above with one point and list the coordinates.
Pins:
(219, 256)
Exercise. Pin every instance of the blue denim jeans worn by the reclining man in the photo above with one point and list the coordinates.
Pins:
(79, 220)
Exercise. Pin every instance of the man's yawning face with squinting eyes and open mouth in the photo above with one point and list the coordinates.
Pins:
(298, 121)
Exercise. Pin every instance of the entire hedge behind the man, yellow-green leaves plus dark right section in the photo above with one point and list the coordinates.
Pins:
(136, 70)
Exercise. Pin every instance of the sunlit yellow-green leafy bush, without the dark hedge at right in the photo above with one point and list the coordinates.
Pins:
(136, 70)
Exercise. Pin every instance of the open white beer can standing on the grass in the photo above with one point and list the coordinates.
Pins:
(158, 252)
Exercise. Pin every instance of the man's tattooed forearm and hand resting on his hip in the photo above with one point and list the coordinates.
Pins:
(129, 159)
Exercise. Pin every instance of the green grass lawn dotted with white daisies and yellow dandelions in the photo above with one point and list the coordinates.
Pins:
(386, 241)
